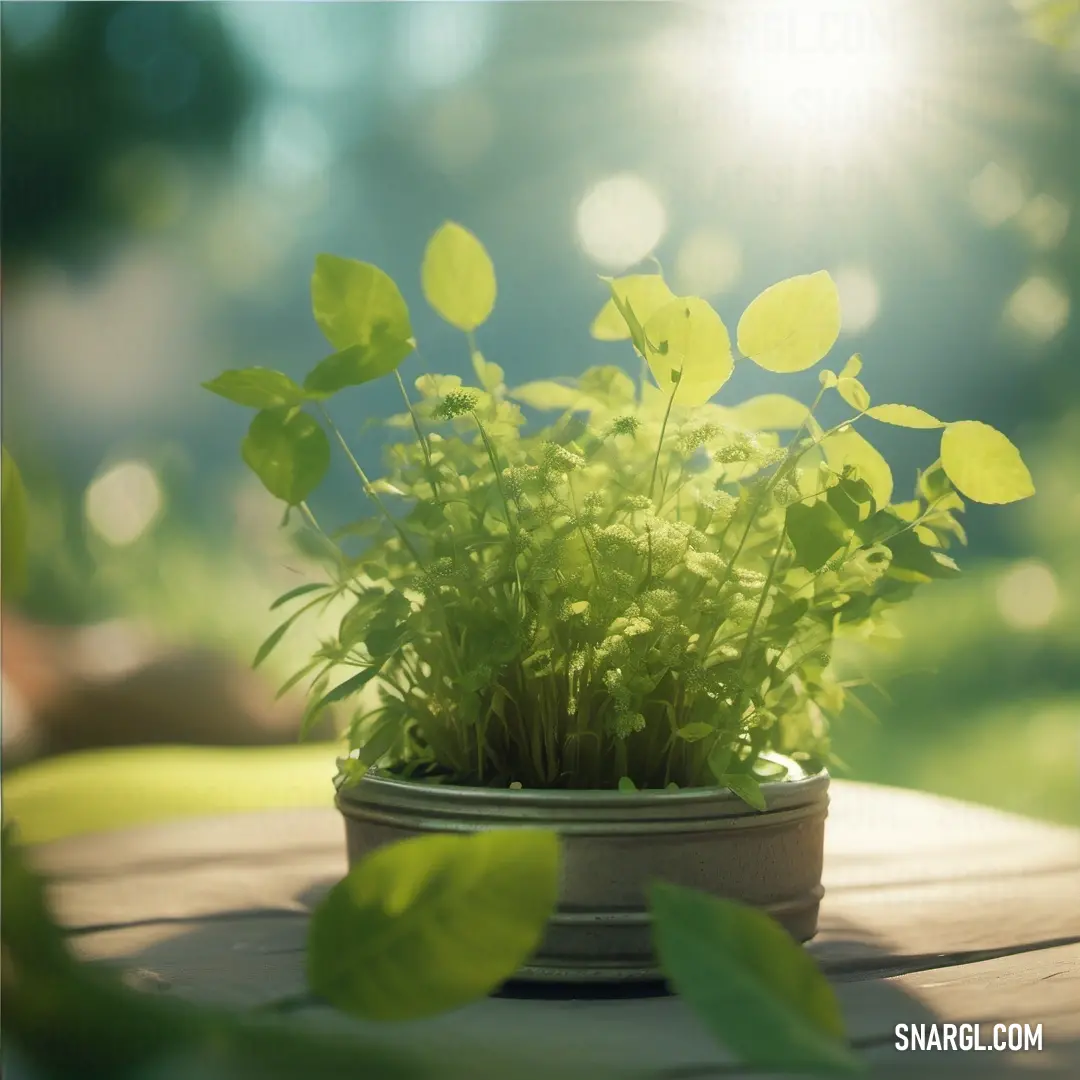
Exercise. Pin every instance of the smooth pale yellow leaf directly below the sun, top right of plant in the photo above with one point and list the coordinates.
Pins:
(792, 325)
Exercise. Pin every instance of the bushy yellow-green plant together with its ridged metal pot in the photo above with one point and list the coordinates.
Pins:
(619, 625)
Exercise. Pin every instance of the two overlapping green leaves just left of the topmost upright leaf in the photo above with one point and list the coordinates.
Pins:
(364, 317)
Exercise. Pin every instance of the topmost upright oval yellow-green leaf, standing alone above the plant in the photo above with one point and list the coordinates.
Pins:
(458, 277)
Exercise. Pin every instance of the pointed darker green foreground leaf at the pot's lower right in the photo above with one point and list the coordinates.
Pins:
(758, 991)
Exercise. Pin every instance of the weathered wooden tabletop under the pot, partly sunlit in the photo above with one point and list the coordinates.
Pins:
(936, 912)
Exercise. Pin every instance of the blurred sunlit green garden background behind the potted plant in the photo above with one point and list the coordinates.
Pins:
(170, 171)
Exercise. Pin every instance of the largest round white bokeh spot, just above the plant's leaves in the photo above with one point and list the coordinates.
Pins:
(620, 221)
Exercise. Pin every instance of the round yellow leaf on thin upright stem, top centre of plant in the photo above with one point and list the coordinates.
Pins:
(687, 345)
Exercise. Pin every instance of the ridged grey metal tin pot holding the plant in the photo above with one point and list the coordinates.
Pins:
(614, 844)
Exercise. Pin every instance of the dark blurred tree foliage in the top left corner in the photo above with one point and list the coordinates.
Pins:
(84, 85)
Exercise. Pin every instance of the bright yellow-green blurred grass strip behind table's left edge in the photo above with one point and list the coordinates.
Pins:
(112, 789)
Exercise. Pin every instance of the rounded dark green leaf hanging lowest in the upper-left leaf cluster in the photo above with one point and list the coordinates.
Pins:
(289, 452)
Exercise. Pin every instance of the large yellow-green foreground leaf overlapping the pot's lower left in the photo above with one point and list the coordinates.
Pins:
(431, 924)
